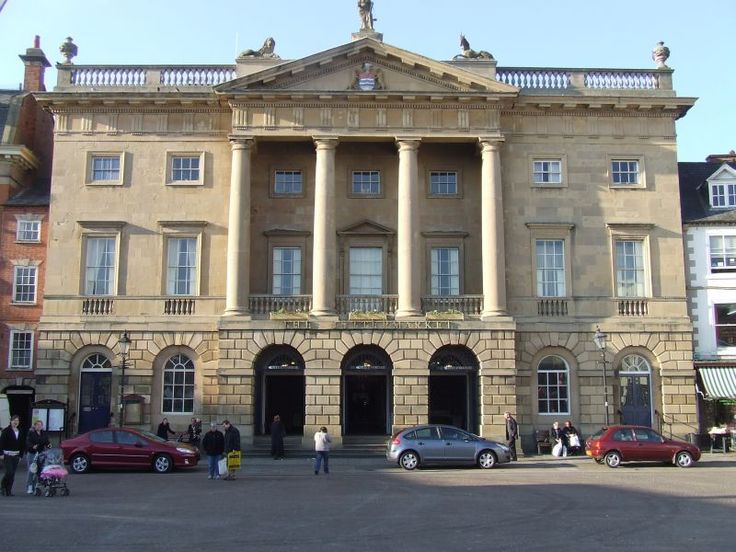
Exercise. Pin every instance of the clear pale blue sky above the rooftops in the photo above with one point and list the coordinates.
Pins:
(521, 33)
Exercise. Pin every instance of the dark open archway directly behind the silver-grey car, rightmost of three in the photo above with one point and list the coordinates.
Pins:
(453, 388)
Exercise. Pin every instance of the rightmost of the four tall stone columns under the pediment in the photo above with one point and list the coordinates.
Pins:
(494, 258)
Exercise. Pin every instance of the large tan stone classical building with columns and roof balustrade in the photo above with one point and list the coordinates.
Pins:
(366, 238)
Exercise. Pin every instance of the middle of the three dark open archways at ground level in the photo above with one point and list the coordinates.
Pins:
(366, 387)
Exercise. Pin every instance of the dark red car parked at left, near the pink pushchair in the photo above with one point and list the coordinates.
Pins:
(126, 448)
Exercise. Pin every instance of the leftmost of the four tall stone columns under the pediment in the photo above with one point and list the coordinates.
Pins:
(238, 236)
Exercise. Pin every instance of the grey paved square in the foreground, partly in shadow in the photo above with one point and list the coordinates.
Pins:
(366, 504)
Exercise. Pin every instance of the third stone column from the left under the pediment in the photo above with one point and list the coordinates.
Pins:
(408, 246)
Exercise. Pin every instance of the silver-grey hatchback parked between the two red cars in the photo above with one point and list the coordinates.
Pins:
(441, 444)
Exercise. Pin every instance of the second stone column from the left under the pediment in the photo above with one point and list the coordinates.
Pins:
(324, 255)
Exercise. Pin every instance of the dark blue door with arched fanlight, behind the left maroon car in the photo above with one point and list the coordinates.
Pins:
(95, 392)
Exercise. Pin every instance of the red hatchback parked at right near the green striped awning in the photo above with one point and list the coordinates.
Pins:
(617, 444)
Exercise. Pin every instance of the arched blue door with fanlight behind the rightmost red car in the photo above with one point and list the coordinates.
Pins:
(635, 391)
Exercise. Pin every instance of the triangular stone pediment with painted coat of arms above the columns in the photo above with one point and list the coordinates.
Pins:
(366, 67)
